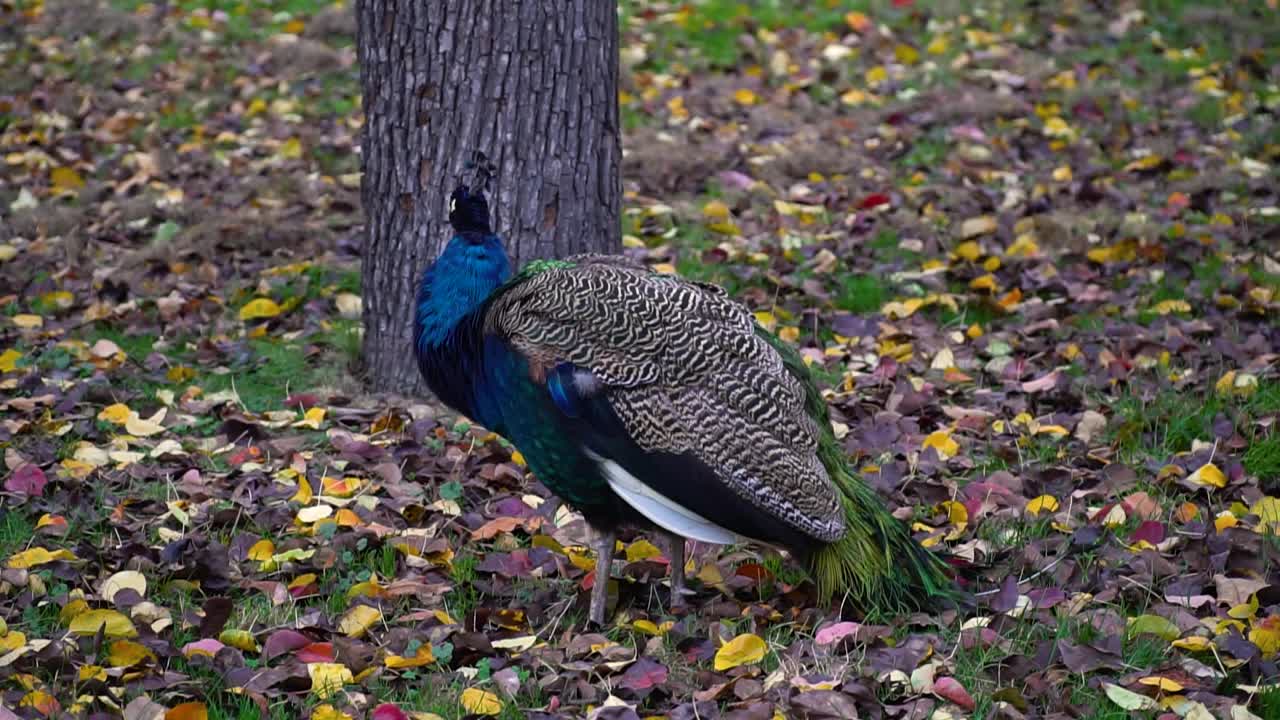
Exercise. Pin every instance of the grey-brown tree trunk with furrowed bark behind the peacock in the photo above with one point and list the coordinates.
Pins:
(533, 85)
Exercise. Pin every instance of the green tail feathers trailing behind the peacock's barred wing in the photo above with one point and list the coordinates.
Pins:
(877, 563)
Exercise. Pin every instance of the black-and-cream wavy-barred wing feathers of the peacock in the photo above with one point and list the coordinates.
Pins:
(684, 370)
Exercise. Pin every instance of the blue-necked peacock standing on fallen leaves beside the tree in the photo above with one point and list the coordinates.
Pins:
(647, 400)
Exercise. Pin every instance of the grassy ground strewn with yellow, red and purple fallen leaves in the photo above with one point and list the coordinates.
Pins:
(1028, 249)
